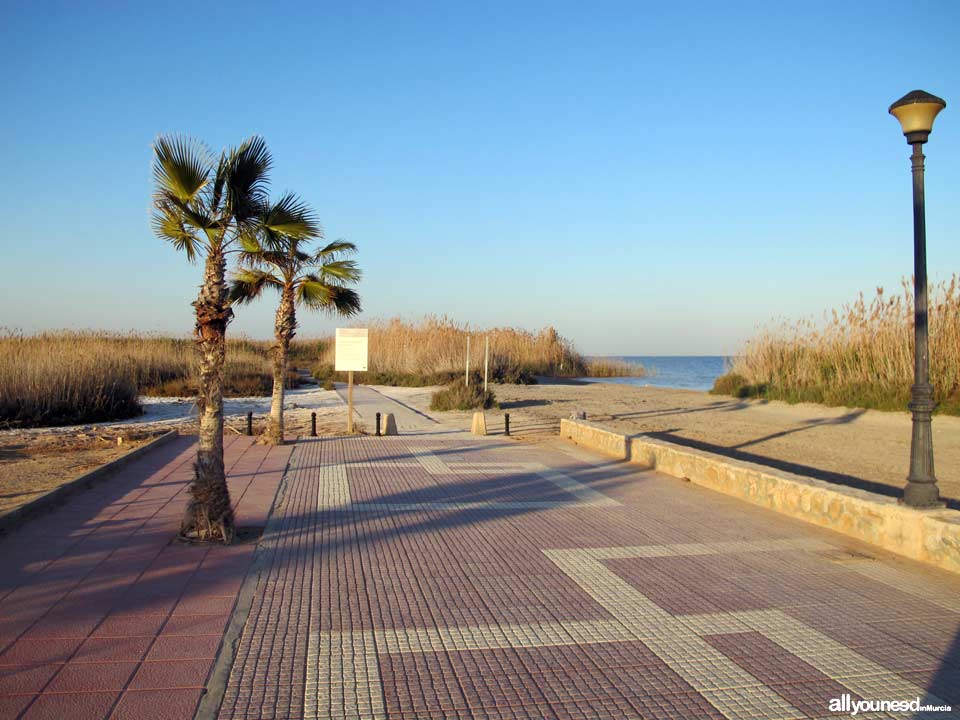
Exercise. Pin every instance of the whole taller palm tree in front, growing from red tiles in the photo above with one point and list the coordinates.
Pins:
(202, 205)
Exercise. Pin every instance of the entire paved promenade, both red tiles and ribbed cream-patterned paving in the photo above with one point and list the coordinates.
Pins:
(439, 575)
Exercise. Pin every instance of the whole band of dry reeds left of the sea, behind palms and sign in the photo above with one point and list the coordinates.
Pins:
(58, 378)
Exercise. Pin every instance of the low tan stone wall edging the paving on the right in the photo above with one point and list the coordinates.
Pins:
(930, 536)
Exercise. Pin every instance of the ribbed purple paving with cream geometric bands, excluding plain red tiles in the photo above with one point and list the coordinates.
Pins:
(436, 575)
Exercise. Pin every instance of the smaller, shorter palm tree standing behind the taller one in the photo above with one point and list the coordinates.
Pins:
(276, 256)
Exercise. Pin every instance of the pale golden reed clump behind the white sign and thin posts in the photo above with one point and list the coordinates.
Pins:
(433, 350)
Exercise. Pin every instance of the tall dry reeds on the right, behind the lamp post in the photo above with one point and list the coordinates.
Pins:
(861, 356)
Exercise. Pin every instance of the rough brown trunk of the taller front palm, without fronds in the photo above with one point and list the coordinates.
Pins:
(209, 514)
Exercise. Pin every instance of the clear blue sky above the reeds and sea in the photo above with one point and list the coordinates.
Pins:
(648, 179)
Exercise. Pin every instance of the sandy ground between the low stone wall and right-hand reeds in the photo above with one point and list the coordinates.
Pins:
(864, 448)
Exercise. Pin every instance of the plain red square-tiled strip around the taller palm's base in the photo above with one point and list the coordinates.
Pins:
(102, 613)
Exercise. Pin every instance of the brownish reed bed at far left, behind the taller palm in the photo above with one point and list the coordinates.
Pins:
(58, 378)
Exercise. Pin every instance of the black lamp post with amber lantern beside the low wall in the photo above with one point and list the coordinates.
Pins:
(916, 112)
